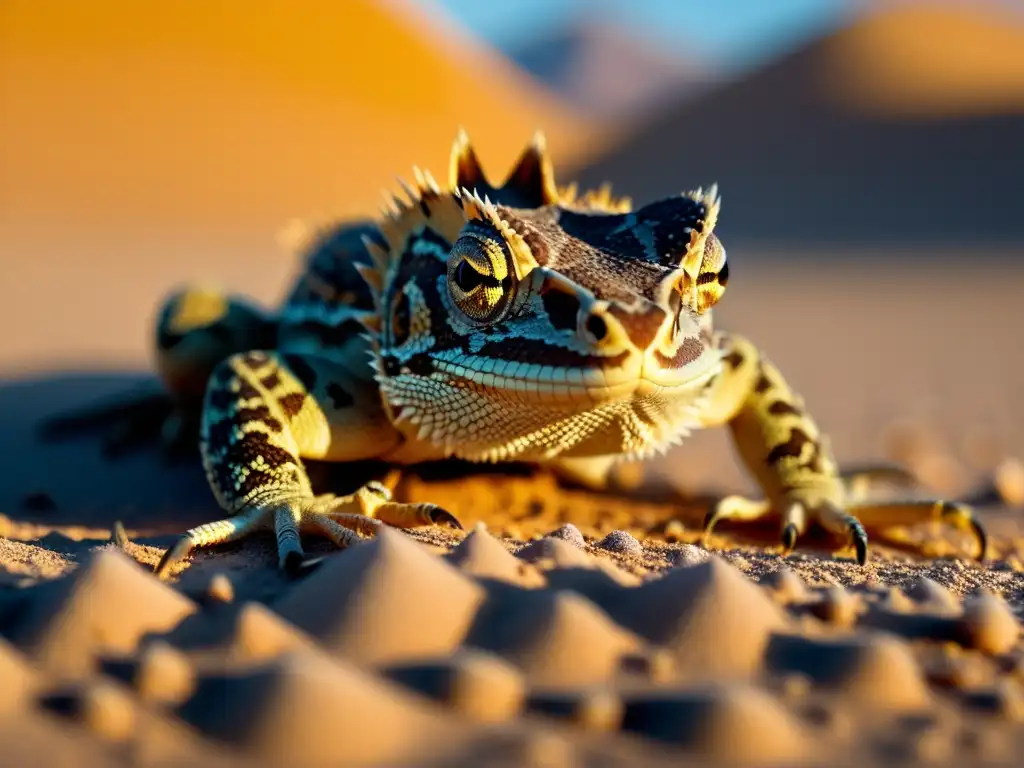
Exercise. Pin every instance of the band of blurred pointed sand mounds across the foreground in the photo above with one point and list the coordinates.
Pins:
(399, 653)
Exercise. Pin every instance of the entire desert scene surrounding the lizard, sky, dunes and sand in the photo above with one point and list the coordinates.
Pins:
(871, 158)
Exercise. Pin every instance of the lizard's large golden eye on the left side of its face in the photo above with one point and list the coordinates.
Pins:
(480, 279)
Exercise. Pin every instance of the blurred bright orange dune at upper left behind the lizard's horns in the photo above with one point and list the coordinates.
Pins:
(135, 117)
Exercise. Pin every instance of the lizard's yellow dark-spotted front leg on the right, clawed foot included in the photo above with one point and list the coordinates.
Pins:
(784, 449)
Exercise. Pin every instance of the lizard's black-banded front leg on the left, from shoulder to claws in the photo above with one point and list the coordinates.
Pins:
(264, 413)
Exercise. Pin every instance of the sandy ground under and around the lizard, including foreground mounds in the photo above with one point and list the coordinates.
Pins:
(563, 627)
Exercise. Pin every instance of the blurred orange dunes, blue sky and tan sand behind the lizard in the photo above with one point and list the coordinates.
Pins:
(870, 155)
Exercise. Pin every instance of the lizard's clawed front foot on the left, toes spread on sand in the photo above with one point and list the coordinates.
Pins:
(347, 521)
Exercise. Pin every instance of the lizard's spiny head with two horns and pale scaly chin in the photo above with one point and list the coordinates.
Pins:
(546, 323)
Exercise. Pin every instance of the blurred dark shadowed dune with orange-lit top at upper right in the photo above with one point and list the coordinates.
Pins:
(875, 135)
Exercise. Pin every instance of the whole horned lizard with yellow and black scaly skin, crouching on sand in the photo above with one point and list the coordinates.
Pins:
(522, 322)
